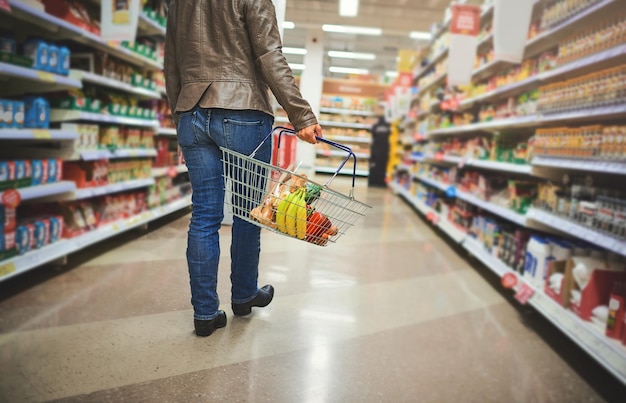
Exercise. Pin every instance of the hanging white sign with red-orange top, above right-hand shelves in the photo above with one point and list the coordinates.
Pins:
(464, 28)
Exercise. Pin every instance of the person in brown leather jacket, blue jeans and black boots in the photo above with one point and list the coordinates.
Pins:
(221, 59)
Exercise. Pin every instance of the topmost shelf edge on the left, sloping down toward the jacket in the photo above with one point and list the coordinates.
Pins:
(63, 29)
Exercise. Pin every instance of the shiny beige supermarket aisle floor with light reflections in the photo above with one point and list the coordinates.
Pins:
(391, 313)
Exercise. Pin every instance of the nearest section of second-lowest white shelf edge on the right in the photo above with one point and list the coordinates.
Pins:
(580, 231)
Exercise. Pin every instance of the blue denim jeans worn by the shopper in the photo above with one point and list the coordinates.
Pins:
(201, 133)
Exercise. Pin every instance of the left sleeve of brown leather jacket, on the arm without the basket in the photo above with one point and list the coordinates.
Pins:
(171, 72)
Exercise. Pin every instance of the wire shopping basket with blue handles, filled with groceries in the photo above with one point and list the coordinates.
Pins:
(287, 203)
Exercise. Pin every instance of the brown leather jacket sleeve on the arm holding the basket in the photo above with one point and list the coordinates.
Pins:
(264, 36)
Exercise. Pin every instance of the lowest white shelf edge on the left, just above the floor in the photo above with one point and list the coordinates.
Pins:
(20, 264)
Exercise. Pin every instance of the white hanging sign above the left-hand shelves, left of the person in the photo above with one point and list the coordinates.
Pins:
(119, 19)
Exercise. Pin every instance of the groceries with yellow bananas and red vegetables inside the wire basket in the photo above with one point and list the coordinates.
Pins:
(289, 209)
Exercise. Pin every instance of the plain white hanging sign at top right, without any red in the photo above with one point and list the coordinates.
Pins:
(511, 21)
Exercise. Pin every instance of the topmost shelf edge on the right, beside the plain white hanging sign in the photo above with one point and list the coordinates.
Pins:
(551, 36)
